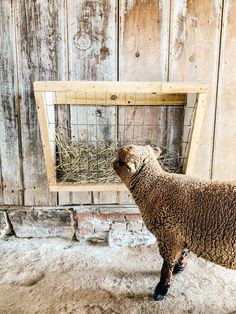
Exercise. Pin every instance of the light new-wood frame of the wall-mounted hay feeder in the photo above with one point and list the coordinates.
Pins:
(159, 94)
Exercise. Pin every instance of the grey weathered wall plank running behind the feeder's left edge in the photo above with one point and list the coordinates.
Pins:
(40, 53)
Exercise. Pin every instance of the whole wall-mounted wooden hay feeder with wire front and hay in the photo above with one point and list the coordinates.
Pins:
(84, 123)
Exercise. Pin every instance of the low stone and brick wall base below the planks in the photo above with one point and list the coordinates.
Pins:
(95, 224)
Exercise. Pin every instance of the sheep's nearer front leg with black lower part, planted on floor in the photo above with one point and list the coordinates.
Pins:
(170, 252)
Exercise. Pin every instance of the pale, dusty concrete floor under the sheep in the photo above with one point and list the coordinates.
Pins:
(55, 276)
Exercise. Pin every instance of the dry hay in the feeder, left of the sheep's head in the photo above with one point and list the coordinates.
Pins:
(84, 161)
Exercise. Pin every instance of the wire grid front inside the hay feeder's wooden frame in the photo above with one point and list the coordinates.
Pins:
(85, 137)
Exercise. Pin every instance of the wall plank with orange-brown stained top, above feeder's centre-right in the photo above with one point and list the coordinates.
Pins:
(143, 54)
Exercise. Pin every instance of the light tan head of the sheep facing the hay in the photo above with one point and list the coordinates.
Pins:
(131, 158)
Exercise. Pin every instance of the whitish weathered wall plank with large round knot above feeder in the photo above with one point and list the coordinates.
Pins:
(92, 54)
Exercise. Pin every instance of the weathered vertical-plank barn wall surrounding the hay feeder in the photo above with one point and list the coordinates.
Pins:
(165, 40)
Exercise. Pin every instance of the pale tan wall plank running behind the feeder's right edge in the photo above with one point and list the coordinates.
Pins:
(194, 51)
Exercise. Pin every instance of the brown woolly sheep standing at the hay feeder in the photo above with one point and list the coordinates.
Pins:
(184, 213)
